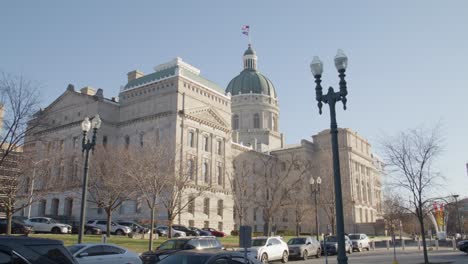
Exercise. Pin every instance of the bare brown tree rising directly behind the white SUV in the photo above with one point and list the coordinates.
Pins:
(276, 177)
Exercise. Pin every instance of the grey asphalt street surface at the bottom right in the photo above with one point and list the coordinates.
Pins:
(383, 256)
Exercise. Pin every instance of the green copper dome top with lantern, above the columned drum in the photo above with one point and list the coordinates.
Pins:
(250, 80)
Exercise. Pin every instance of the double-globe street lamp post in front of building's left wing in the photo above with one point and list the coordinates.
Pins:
(87, 146)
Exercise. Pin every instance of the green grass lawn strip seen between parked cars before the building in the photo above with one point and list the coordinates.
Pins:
(136, 245)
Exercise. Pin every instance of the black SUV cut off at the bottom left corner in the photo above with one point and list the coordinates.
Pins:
(27, 250)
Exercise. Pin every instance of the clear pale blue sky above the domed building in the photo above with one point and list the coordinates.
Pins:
(408, 60)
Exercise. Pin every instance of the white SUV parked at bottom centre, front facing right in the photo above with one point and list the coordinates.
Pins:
(268, 249)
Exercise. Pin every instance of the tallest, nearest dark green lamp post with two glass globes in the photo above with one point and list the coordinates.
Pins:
(316, 66)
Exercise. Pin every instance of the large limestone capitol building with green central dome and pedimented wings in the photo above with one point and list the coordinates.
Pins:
(224, 134)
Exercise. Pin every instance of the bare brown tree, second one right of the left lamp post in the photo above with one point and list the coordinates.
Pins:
(149, 168)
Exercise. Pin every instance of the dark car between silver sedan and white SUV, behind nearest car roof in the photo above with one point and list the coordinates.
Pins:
(177, 244)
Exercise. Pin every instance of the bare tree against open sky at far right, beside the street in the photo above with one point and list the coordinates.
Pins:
(410, 158)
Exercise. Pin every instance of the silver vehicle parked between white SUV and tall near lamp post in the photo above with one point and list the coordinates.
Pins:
(303, 247)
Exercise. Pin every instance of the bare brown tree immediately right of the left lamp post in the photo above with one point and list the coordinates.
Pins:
(108, 182)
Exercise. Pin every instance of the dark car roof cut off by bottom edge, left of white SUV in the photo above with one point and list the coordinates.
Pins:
(208, 257)
